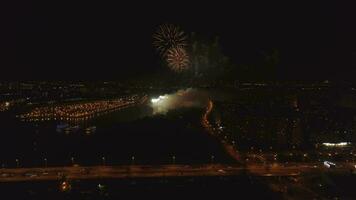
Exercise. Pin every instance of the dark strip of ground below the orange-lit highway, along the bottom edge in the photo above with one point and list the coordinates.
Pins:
(309, 186)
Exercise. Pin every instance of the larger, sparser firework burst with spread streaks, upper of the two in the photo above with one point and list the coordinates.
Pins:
(169, 36)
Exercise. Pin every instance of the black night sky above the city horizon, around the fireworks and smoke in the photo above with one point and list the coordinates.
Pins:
(113, 41)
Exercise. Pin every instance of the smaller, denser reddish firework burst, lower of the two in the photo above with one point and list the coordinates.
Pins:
(177, 59)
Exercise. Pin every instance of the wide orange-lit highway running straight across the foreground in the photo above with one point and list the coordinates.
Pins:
(142, 171)
